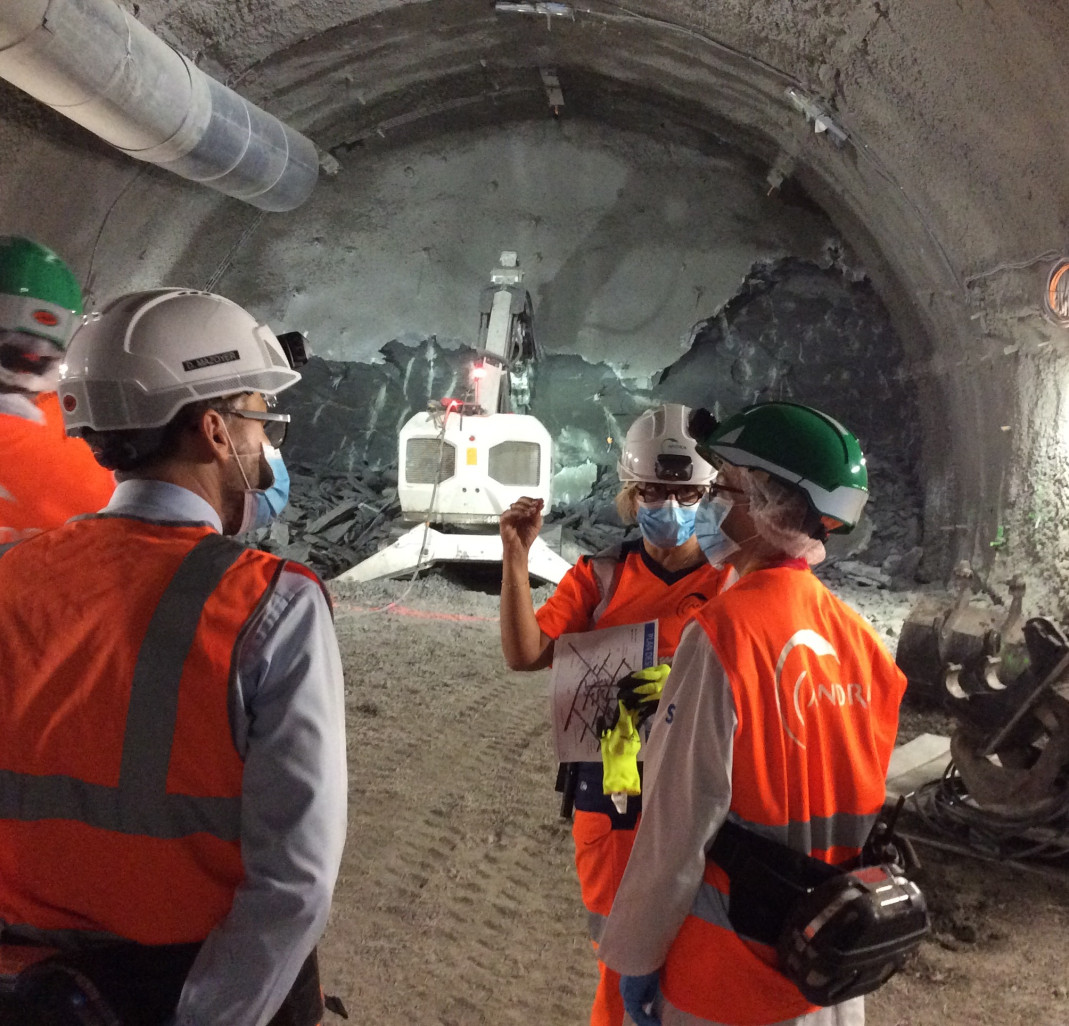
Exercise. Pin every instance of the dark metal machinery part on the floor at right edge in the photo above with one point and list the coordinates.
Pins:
(1005, 792)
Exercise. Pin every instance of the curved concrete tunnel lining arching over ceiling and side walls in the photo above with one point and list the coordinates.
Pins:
(951, 188)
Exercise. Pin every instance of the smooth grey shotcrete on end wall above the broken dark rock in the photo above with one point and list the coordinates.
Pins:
(621, 266)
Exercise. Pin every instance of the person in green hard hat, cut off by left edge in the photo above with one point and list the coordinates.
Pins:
(45, 477)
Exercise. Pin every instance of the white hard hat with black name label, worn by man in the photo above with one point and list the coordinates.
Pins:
(144, 357)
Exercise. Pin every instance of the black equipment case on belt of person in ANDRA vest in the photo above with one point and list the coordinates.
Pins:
(839, 932)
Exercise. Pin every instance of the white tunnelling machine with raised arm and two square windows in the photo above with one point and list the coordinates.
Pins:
(464, 461)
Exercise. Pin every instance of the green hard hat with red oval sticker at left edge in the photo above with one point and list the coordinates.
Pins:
(39, 293)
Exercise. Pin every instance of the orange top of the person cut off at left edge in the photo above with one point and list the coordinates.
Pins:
(45, 477)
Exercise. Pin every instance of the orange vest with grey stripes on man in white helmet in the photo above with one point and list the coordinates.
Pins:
(120, 782)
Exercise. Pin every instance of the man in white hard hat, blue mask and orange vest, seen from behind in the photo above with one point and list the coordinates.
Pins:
(172, 717)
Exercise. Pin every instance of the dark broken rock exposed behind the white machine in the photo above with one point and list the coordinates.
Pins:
(795, 330)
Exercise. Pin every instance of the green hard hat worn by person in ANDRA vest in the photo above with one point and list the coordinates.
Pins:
(799, 446)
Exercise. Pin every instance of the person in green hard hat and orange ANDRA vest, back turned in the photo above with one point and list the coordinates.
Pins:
(780, 718)
